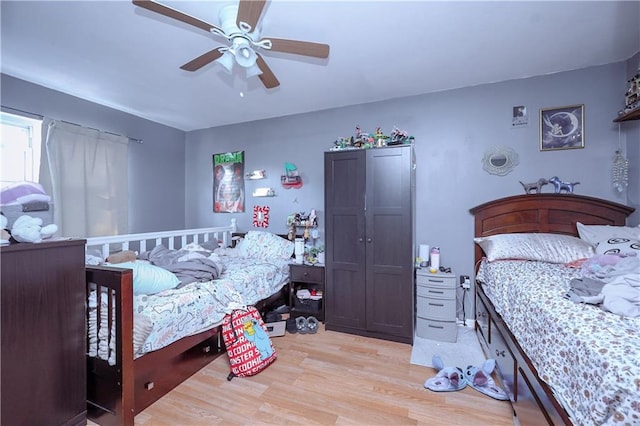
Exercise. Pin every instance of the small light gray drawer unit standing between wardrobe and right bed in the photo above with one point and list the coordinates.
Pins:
(436, 306)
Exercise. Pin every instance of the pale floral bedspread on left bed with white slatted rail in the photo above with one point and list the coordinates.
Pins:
(200, 306)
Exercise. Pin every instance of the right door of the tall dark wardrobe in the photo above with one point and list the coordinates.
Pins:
(389, 248)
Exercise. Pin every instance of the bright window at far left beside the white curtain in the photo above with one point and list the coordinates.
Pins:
(20, 142)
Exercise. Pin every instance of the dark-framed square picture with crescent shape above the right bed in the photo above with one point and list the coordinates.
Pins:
(562, 128)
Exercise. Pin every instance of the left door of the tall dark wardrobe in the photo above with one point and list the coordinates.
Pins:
(344, 233)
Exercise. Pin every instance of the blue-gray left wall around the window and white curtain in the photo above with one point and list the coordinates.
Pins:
(156, 167)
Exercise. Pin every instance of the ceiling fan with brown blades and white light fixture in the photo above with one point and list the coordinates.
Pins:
(238, 24)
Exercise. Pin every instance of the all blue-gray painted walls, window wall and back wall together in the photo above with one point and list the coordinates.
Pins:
(171, 172)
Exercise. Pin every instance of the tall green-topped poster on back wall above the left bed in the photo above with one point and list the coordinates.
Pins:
(228, 182)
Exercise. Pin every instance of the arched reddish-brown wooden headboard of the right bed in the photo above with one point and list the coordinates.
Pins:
(552, 213)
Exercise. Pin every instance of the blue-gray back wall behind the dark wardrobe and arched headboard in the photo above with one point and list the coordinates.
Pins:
(452, 130)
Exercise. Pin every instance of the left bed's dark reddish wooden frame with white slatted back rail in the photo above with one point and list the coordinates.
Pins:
(115, 394)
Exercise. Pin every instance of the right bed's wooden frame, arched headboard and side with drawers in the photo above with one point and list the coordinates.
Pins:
(532, 400)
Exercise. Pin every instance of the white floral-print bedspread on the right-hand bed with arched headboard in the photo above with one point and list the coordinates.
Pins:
(589, 357)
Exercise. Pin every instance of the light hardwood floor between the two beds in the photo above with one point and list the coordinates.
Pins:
(327, 378)
